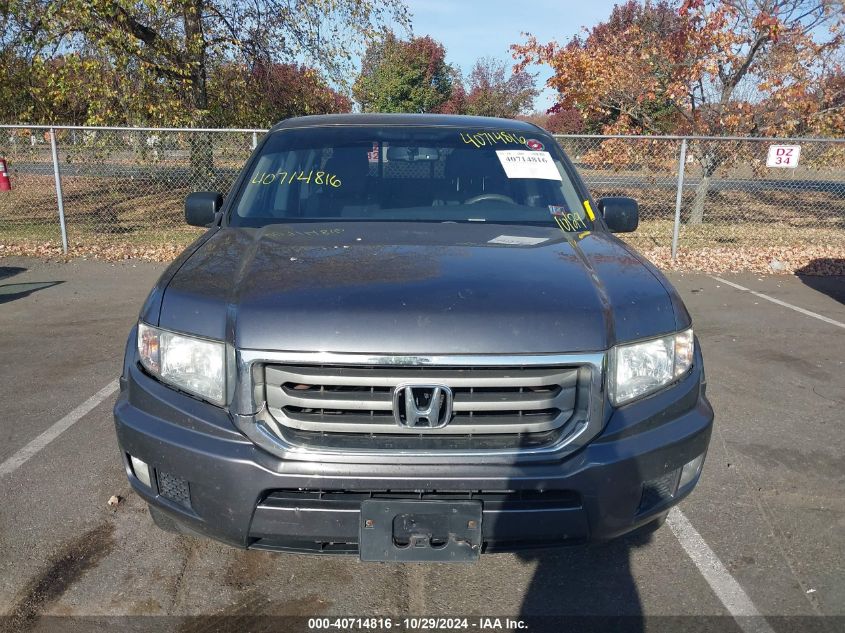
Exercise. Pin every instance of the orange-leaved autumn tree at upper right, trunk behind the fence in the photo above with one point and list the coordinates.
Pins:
(705, 67)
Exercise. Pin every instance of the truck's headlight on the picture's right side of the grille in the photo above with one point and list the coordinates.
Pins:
(642, 368)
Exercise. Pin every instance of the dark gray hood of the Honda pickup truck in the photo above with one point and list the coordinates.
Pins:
(416, 288)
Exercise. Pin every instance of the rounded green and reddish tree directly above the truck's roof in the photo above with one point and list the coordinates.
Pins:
(404, 76)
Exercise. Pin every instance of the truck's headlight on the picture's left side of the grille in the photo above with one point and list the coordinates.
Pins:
(195, 365)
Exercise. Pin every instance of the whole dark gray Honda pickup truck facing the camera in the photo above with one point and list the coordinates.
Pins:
(411, 338)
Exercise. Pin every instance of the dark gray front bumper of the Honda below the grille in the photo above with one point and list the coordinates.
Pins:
(215, 482)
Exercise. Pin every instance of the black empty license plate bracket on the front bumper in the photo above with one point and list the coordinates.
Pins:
(420, 531)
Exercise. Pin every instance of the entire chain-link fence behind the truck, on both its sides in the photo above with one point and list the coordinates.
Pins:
(126, 186)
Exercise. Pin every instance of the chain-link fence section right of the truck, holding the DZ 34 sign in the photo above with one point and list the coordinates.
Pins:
(720, 191)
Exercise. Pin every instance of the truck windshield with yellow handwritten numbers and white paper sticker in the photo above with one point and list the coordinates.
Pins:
(410, 174)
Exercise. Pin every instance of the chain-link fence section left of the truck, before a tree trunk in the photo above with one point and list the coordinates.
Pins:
(118, 186)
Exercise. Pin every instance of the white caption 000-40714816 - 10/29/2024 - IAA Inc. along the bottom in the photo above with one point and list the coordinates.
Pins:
(477, 623)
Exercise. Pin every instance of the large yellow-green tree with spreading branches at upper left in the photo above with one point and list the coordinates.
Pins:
(164, 53)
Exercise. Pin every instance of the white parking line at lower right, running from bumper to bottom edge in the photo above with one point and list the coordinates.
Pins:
(724, 585)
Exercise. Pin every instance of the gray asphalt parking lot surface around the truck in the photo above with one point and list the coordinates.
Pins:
(768, 513)
